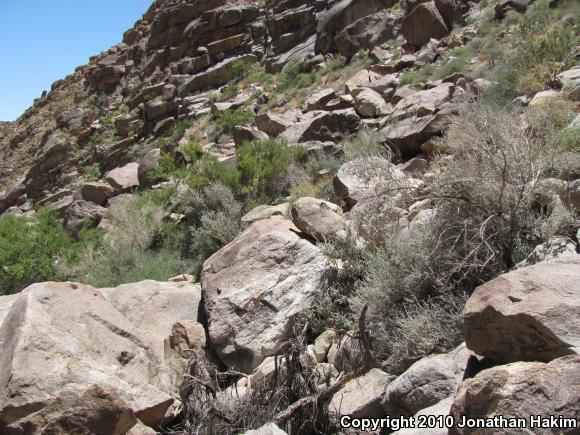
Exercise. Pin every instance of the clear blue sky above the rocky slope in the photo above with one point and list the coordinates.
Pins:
(42, 41)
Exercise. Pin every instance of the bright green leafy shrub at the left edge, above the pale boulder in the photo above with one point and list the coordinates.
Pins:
(31, 248)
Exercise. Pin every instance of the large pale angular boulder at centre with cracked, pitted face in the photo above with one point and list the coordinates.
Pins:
(254, 287)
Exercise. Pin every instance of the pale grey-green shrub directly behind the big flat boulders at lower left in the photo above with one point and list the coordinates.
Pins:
(139, 243)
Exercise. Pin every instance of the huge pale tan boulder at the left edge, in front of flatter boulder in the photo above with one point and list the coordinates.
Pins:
(84, 341)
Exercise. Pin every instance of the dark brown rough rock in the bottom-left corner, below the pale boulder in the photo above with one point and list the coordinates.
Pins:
(95, 410)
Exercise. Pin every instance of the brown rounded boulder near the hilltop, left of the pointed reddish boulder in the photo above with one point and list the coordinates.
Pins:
(366, 33)
